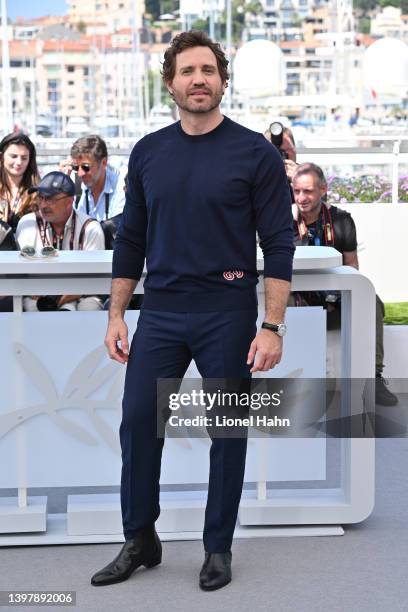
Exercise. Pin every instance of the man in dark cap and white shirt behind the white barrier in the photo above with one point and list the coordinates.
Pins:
(57, 224)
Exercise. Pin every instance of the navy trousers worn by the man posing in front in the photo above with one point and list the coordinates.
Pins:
(162, 347)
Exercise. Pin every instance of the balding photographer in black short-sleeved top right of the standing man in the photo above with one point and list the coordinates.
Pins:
(316, 224)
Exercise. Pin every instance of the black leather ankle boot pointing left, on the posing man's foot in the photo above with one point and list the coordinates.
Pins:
(144, 549)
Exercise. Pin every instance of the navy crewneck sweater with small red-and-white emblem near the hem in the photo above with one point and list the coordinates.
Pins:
(193, 207)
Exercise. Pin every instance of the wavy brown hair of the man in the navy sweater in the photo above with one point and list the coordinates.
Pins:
(188, 40)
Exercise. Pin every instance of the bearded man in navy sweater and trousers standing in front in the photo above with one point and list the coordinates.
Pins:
(198, 192)
